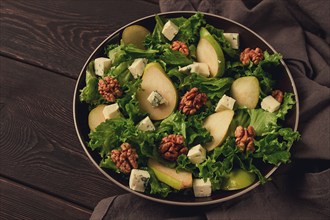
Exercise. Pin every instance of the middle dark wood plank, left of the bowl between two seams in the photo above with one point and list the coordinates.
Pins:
(39, 145)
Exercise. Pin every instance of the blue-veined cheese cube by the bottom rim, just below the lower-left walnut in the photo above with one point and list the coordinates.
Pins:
(138, 180)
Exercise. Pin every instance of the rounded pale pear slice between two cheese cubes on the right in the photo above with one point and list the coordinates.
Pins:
(246, 91)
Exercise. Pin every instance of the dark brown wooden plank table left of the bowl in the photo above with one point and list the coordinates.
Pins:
(45, 173)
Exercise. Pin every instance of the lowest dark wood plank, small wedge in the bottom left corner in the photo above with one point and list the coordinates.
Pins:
(21, 202)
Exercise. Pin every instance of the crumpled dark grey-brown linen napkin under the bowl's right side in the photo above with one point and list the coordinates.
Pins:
(299, 30)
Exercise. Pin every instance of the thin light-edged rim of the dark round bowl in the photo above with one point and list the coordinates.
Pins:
(164, 201)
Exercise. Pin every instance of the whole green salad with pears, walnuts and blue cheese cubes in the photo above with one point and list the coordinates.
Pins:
(184, 109)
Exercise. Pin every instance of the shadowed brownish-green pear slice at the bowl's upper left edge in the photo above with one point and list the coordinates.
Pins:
(135, 34)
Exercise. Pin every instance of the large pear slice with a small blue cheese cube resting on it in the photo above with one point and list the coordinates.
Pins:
(154, 78)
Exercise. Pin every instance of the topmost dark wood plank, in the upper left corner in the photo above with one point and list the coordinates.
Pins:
(60, 35)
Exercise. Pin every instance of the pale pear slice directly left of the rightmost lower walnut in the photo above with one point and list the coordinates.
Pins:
(217, 124)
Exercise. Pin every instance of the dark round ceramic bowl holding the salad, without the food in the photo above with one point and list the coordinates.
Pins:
(248, 38)
